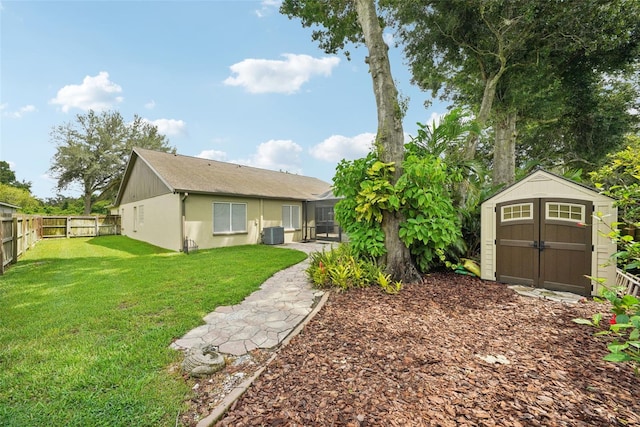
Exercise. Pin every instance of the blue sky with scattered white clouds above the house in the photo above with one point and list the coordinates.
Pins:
(228, 80)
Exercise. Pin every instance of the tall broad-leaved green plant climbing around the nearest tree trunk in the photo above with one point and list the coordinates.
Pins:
(420, 195)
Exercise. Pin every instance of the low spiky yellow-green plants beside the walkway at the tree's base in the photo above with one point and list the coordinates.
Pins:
(342, 268)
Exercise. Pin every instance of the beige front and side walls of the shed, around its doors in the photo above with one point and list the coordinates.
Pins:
(542, 185)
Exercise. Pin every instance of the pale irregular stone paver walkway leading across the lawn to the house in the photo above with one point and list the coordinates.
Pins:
(265, 317)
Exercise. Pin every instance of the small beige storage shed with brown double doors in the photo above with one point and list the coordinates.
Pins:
(541, 232)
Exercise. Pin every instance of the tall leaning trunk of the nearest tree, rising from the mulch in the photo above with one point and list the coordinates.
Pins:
(390, 136)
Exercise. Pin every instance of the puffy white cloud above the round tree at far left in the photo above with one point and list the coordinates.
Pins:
(95, 93)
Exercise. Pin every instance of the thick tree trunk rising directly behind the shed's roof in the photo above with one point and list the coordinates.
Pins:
(504, 150)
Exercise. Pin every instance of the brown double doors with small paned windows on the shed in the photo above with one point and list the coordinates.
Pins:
(545, 243)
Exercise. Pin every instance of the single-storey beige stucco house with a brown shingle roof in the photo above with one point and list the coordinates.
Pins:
(174, 201)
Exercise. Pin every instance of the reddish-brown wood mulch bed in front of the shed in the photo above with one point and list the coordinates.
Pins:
(413, 359)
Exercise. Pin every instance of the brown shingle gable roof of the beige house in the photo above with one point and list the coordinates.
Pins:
(196, 175)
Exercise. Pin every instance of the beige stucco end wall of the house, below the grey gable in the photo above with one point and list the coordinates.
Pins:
(161, 221)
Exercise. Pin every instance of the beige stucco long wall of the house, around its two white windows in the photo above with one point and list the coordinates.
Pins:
(261, 213)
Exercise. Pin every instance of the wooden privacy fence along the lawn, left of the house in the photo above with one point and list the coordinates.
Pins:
(19, 233)
